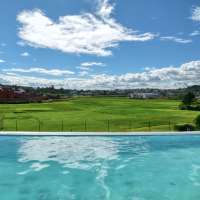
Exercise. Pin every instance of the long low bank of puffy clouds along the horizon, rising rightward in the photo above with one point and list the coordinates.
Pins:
(169, 77)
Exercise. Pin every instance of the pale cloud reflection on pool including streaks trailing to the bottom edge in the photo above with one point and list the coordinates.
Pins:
(82, 153)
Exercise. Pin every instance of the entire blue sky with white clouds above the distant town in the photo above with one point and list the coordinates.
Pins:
(100, 44)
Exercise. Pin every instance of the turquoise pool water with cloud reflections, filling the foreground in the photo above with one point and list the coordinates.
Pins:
(89, 168)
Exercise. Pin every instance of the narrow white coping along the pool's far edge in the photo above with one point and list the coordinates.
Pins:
(20, 133)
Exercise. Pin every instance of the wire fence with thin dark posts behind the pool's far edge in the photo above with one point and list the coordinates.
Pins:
(63, 126)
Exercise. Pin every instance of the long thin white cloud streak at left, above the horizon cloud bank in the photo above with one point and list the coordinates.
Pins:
(54, 72)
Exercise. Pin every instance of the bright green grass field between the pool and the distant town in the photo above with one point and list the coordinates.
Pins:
(94, 115)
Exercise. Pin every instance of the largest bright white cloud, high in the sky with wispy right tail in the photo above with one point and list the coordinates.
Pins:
(86, 34)
